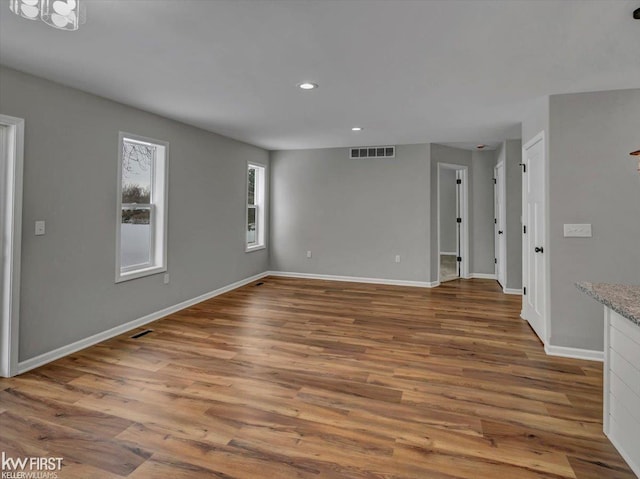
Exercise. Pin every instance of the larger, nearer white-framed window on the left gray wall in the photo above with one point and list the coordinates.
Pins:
(142, 207)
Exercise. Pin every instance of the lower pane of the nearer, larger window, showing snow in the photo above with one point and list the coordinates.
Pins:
(135, 237)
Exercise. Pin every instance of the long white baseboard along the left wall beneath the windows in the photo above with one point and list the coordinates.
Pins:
(42, 359)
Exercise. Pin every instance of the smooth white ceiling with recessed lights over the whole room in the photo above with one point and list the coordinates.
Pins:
(406, 71)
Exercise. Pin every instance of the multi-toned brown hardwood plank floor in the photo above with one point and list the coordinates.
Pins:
(317, 379)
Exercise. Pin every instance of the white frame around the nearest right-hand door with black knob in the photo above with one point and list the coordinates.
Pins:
(546, 290)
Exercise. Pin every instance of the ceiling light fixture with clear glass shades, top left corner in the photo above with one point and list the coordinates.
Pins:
(60, 14)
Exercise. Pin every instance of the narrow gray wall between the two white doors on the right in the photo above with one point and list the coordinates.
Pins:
(510, 152)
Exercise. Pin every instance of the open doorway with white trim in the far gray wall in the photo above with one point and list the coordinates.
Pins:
(453, 258)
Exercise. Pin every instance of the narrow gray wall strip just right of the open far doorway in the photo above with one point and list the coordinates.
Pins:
(482, 203)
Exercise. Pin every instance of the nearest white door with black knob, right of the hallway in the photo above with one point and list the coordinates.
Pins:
(533, 246)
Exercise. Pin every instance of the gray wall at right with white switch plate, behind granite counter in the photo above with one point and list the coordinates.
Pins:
(592, 179)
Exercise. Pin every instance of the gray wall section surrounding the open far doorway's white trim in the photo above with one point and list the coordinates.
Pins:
(455, 156)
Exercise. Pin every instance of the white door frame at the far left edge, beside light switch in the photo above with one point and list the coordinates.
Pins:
(12, 231)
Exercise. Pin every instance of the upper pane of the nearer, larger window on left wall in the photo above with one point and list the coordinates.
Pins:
(137, 172)
